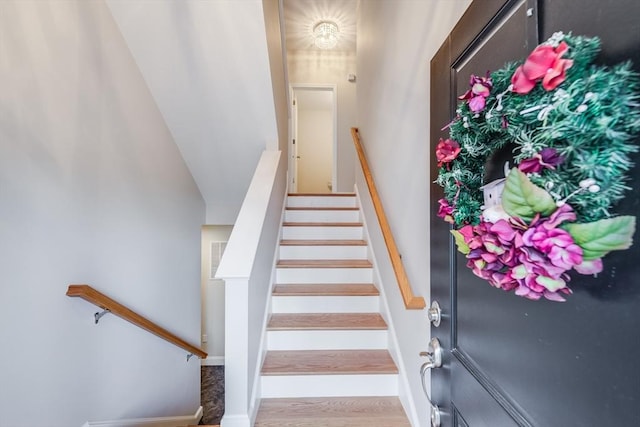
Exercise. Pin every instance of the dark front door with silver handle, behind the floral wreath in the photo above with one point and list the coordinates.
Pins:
(510, 361)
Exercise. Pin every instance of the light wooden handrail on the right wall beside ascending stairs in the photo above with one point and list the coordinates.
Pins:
(410, 301)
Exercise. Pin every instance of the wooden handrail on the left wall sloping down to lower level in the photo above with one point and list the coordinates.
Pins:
(87, 293)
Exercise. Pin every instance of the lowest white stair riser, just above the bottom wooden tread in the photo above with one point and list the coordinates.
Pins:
(329, 385)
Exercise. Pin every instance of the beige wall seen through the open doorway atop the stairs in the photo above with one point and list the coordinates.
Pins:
(315, 148)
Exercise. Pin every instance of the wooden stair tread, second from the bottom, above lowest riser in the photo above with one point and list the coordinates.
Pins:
(328, 362)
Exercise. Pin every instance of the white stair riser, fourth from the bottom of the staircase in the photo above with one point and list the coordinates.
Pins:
(324, 275)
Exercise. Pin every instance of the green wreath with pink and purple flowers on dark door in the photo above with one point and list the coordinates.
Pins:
(570, 126)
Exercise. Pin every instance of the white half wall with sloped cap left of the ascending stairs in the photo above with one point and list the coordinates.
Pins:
(246, 268)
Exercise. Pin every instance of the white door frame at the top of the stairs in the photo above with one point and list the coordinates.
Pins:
(293, 169)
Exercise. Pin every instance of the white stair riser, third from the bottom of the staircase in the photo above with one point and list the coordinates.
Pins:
(325, 304)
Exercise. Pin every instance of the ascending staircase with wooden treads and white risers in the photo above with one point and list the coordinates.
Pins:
(327, 362)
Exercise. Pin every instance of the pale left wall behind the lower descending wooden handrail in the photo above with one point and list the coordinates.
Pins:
(92, 190)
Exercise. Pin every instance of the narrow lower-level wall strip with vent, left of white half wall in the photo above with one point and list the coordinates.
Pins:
(213, 296)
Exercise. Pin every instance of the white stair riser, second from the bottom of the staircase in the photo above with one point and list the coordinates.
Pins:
(328, 340)
